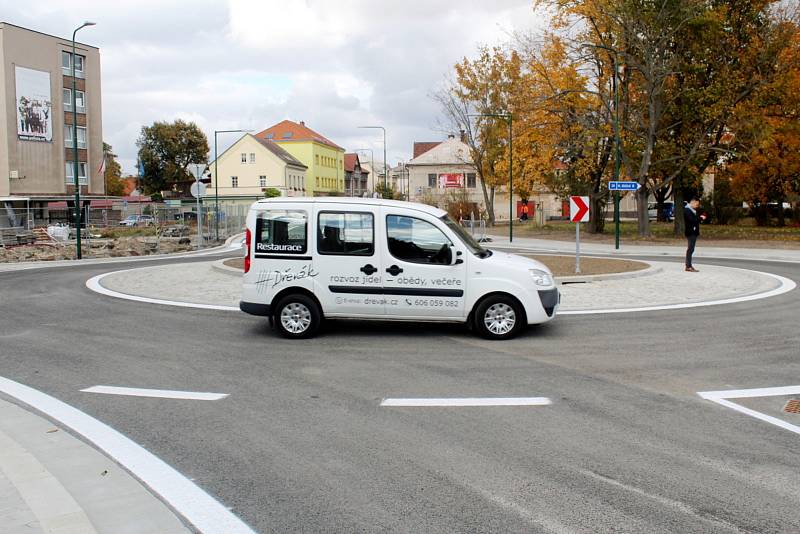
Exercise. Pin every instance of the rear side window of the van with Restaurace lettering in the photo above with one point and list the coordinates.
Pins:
(281, 232)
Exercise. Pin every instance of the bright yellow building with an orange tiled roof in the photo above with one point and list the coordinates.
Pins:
(324, 158)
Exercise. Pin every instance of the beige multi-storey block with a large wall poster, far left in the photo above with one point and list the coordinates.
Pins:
(36, 116)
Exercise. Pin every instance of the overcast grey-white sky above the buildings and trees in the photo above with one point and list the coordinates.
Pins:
(336, 64)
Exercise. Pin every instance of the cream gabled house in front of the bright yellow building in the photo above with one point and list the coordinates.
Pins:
(252, 165)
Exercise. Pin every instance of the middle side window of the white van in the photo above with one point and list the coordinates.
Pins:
(346, 234)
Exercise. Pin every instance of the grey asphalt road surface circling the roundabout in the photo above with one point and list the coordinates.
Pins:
(302, 445)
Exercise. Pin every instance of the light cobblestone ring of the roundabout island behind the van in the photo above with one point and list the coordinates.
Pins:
(201, 283)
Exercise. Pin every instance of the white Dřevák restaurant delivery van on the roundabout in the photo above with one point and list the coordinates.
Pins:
(314, 258)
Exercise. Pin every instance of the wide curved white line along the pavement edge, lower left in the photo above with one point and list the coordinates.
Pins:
(198, 507)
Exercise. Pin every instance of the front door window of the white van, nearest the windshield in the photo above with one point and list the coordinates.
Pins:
(416, 241)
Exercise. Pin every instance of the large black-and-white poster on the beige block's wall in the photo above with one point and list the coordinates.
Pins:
(34, 105)
